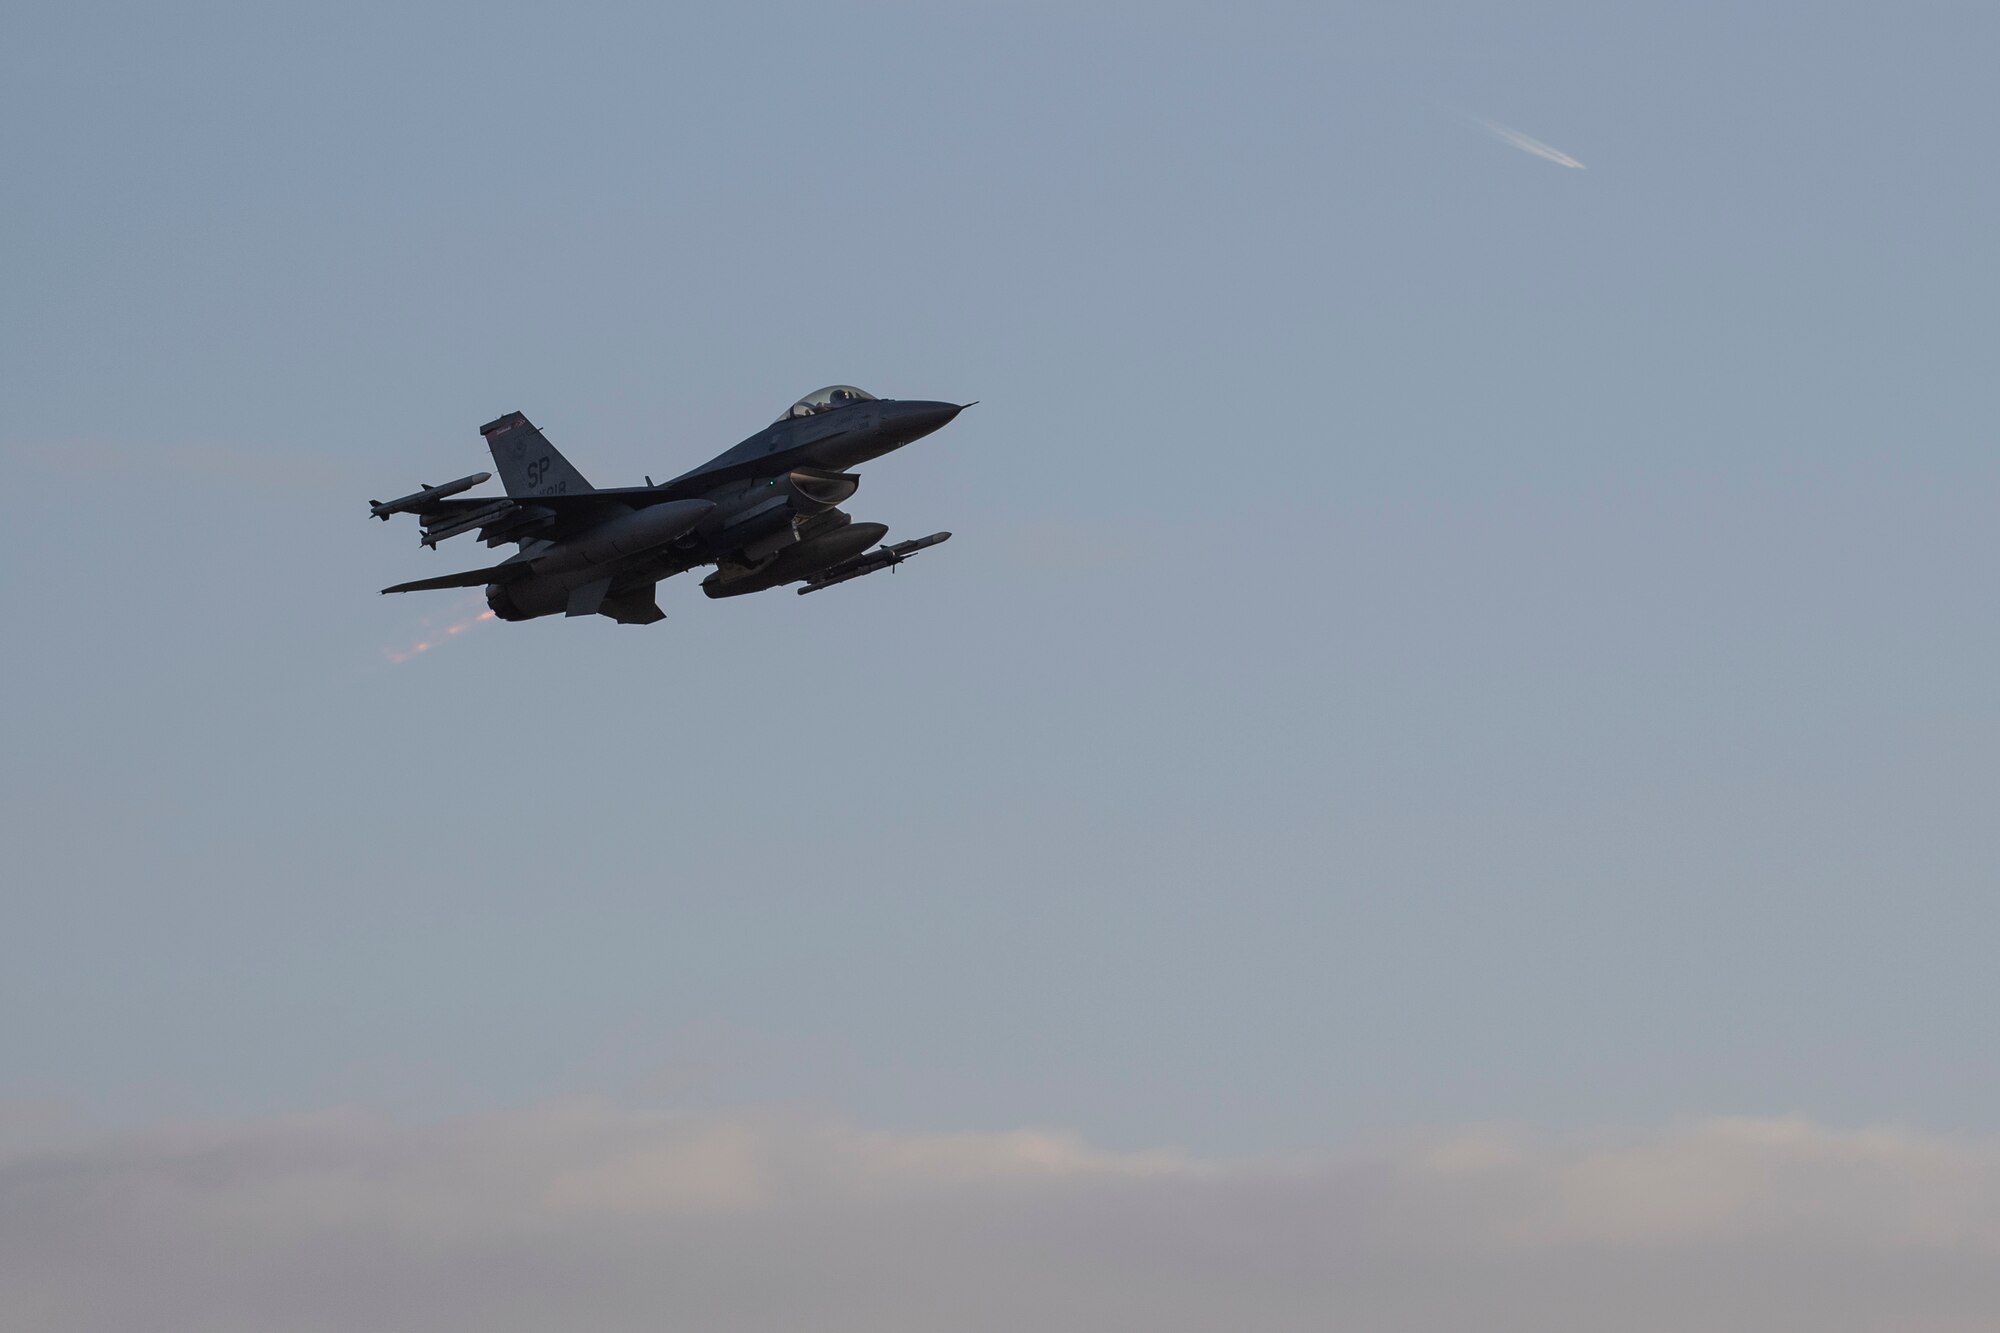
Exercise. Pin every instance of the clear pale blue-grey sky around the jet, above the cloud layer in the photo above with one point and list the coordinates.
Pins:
(1431, 639)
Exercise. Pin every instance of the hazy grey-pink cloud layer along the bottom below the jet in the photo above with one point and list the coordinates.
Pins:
(597, 1218)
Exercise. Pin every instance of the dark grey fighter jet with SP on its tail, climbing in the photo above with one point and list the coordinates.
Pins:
(763, 513)
